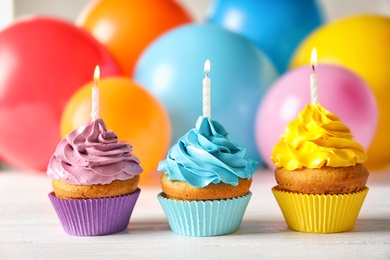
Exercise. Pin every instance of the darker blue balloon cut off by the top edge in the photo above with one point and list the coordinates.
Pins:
(277, 27)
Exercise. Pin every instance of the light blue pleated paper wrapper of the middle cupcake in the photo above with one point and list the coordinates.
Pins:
(204, 218)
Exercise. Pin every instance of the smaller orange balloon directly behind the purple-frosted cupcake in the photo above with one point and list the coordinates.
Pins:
(131, 112)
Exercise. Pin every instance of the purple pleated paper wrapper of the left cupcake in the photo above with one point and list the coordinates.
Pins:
(94, 217)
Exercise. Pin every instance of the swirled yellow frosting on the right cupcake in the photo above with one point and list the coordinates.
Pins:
(317, 138)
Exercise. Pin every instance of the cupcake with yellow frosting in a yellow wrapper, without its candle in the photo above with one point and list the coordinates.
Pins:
(320, 173)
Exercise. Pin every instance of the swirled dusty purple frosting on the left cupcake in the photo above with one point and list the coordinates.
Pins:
(93, 155)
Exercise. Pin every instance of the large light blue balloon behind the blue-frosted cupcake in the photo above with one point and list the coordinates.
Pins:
(172, 69)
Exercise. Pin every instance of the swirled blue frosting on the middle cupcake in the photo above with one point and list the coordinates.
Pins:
(207, 155)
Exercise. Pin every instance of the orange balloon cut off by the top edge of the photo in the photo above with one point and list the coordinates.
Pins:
(126, 28)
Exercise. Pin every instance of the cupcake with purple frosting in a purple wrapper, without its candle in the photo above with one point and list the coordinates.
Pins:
(94, 179)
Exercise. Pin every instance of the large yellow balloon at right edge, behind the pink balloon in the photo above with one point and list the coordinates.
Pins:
(360, 43)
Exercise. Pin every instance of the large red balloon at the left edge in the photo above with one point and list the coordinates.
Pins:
(43, 62)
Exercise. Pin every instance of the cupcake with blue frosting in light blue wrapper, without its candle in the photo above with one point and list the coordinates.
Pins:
(206, 182)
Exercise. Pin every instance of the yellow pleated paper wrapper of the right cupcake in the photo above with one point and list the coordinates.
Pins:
(320, 213)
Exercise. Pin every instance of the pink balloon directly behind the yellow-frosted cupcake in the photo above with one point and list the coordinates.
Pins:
(341, 91)
